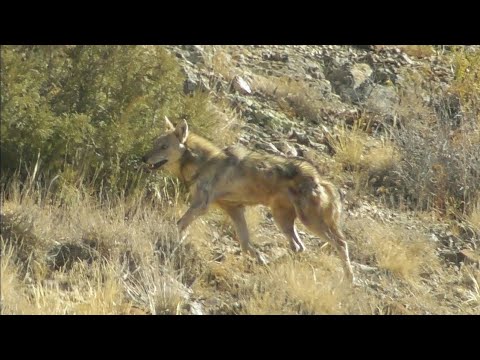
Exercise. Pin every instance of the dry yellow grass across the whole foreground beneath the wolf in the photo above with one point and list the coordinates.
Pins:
(137, 265)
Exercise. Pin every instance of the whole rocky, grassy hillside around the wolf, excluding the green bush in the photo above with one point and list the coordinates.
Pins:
(397, 128)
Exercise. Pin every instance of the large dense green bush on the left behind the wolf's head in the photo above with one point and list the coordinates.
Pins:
(87, 113)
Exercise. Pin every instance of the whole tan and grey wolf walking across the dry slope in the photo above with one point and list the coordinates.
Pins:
(235, 177)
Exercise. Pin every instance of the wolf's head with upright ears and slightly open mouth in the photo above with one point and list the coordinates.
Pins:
(168, 147)
